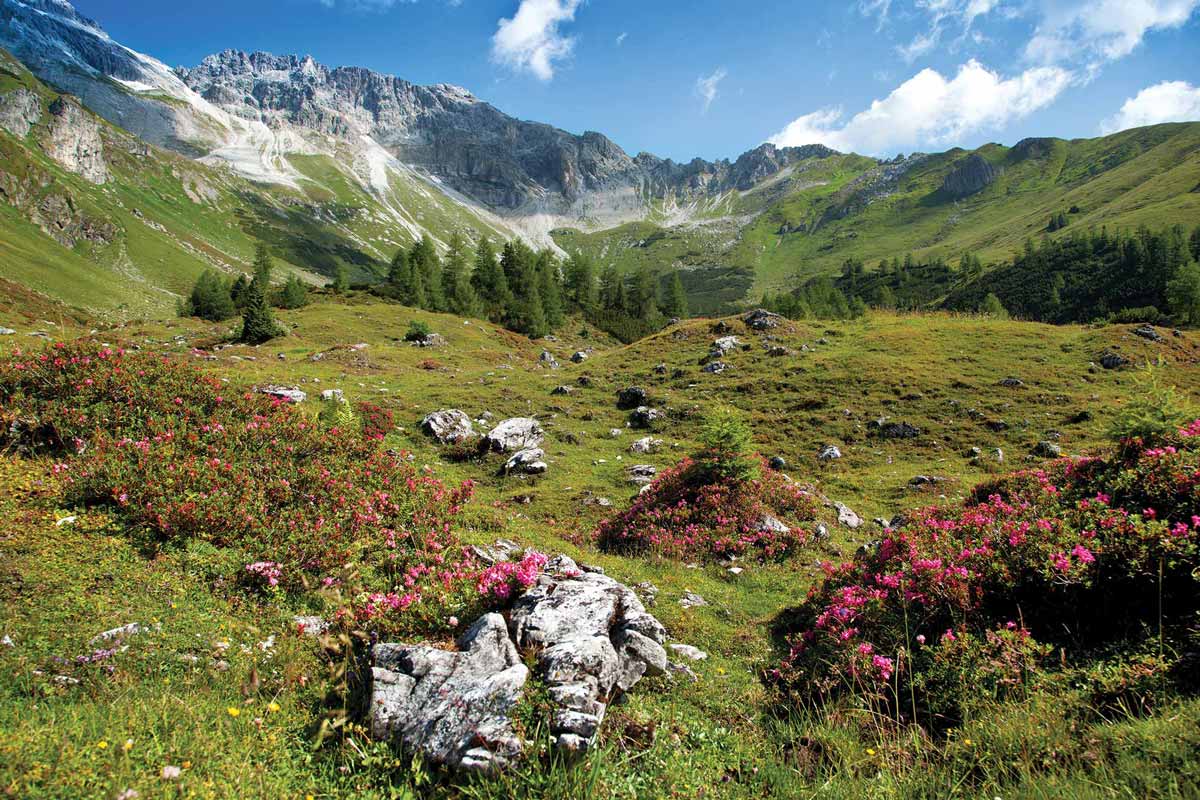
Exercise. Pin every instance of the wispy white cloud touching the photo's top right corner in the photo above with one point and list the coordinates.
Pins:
(1100, 32)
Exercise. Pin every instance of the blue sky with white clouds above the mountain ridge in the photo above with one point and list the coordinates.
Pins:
(715, 79)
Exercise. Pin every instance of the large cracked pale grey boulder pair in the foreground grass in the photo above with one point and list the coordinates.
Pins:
(591, 637)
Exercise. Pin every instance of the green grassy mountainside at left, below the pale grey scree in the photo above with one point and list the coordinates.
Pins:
(172, 218)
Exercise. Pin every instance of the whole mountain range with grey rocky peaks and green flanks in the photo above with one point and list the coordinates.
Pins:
(155, 173)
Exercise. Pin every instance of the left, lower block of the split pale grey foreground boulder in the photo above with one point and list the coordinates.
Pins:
(454, 708)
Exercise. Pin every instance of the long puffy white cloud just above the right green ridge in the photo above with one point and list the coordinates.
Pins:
(928, 110)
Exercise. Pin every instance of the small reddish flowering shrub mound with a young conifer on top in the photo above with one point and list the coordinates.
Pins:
(687, 515)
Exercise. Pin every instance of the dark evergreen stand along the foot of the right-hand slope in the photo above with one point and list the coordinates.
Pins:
(1079, 278)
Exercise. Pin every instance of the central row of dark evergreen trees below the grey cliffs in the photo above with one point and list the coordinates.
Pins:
(532, 292)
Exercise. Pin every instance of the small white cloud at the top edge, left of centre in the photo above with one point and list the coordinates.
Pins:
(532, 41)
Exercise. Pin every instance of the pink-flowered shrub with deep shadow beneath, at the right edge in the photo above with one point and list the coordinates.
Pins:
(963, 604)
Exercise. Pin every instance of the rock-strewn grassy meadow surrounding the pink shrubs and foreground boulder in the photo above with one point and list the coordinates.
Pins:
(716, 738)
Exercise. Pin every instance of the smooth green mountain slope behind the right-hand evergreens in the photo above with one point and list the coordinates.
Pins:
(1139, 177)
